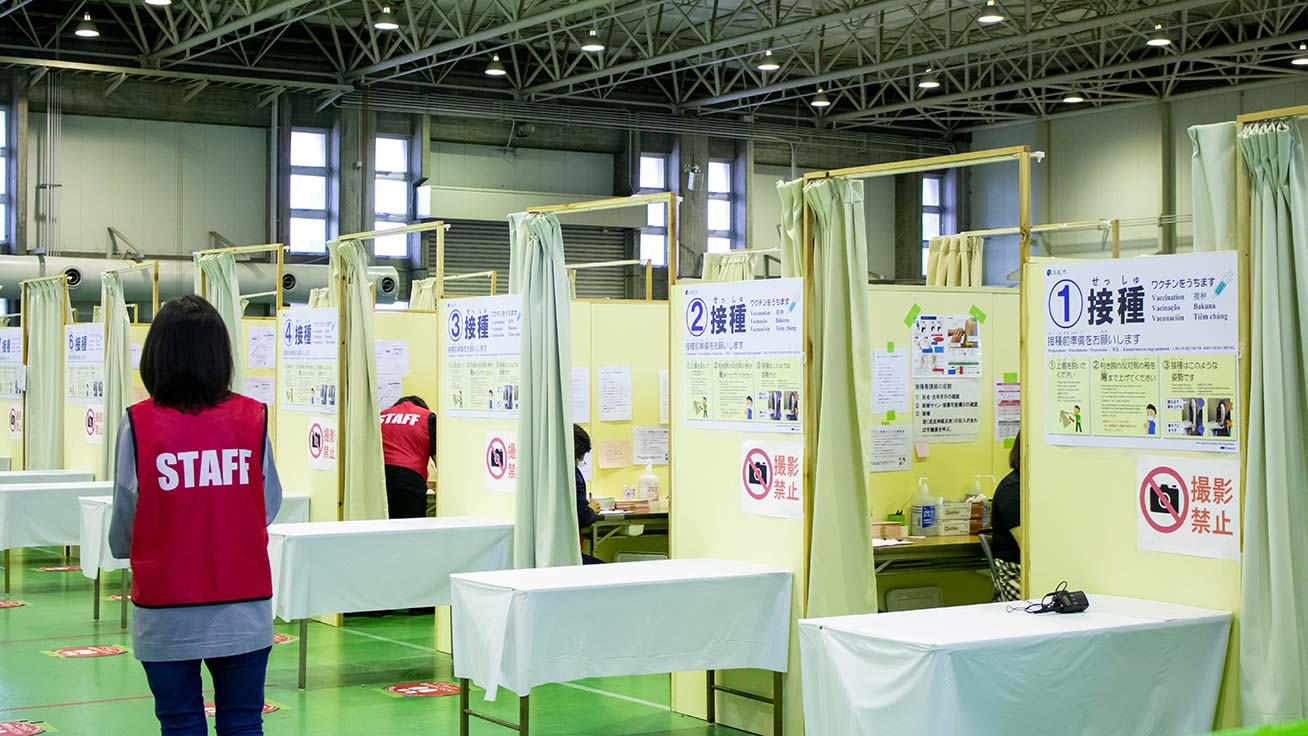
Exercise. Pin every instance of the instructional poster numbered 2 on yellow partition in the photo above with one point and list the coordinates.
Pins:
(744, 367)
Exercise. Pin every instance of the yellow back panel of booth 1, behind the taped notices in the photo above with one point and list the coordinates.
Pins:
(950, 469)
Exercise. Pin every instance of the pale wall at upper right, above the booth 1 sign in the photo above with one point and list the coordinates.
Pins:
(1105, 164)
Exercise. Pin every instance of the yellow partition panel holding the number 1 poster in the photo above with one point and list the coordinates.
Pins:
(1081, 517)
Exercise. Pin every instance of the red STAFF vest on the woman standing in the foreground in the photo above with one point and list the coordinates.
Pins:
(201, 533)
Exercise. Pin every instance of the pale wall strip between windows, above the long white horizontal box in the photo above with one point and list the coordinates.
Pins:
(521, 169)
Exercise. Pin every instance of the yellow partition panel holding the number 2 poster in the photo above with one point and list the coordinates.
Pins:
(707, 521)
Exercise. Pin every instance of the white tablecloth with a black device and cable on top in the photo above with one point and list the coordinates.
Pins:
(1123, 667)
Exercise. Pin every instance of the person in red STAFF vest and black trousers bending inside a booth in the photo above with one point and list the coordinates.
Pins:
(409, 444)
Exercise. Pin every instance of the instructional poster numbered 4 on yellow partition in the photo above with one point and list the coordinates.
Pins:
(308, 371)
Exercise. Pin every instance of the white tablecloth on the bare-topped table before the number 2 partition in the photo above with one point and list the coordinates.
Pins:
(526, 628)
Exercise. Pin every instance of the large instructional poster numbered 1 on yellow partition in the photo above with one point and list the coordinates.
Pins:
(1143, 354)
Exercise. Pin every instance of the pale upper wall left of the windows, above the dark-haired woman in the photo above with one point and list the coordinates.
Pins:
(165, 186)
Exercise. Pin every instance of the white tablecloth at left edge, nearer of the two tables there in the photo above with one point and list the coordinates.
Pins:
(44, 514)
